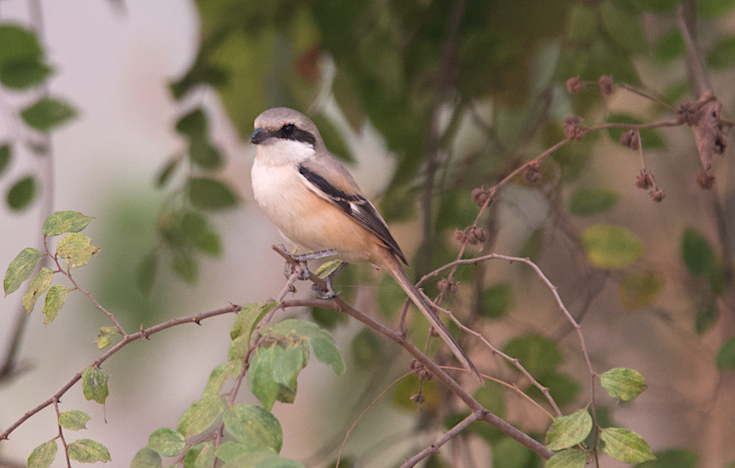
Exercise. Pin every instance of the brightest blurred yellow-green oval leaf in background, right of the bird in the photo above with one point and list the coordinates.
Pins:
(611, 247)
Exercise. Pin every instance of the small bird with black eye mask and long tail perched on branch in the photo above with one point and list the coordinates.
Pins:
(311, 197)
